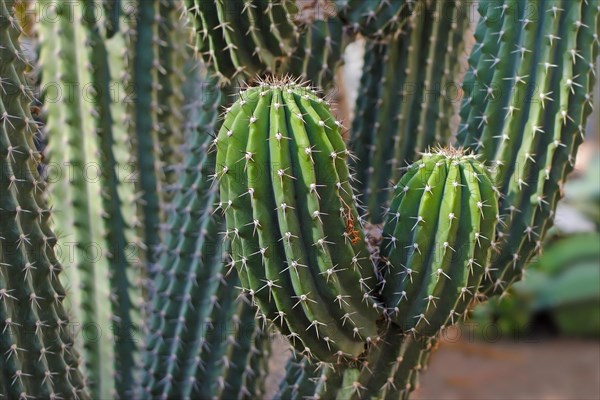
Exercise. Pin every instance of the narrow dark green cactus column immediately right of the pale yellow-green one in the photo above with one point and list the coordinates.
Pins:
(142, 38)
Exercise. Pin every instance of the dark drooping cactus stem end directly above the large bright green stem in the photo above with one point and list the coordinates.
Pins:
(244, 37)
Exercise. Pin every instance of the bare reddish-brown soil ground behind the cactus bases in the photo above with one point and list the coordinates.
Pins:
(544, 369)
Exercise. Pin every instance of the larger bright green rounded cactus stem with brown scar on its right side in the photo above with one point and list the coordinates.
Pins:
(295, 232)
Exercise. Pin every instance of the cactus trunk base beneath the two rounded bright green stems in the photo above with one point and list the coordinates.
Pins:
(390, 370)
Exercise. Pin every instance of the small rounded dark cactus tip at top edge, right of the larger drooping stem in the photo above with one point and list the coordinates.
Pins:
(374, 19)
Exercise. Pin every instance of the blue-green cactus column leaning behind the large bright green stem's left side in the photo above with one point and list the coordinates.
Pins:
(203, 339)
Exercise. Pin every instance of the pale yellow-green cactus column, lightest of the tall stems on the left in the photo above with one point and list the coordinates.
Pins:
(102, 259)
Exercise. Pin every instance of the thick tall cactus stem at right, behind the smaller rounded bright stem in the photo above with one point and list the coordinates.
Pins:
(533, 74)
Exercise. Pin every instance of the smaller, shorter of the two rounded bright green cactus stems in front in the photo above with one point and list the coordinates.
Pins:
(437, 240)
